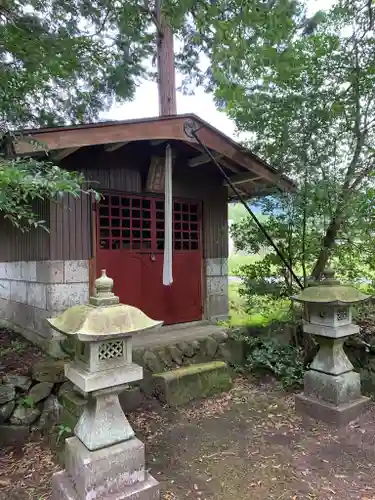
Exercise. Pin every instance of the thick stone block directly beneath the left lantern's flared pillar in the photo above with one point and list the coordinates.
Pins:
(105, 472)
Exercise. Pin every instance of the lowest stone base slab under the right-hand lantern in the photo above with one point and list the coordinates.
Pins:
(338, 415)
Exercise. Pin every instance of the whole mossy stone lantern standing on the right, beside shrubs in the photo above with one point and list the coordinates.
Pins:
(332, 390)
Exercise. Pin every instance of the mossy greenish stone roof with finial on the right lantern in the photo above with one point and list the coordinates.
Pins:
(330, 291)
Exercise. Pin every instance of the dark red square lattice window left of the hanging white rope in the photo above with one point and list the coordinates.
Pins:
(125, 223)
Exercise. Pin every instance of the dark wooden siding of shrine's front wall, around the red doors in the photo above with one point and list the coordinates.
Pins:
(126, 170)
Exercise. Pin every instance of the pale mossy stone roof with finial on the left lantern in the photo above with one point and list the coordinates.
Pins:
(103, 317)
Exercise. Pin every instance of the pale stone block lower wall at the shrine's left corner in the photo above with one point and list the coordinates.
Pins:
(32, 291)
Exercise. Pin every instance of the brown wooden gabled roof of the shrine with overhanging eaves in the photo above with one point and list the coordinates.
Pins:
(247, 171)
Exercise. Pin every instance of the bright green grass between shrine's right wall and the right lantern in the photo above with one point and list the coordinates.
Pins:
(238, 316)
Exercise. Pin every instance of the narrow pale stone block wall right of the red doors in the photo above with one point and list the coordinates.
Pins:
(216, 299)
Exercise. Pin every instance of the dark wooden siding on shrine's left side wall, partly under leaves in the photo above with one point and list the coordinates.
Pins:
(16, 245)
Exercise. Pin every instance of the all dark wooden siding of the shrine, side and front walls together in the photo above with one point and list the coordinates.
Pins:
(70, 220)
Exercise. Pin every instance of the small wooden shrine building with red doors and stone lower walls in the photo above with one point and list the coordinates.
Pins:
(42, 273)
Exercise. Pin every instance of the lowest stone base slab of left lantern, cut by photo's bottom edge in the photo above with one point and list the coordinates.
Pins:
(62, 489)
